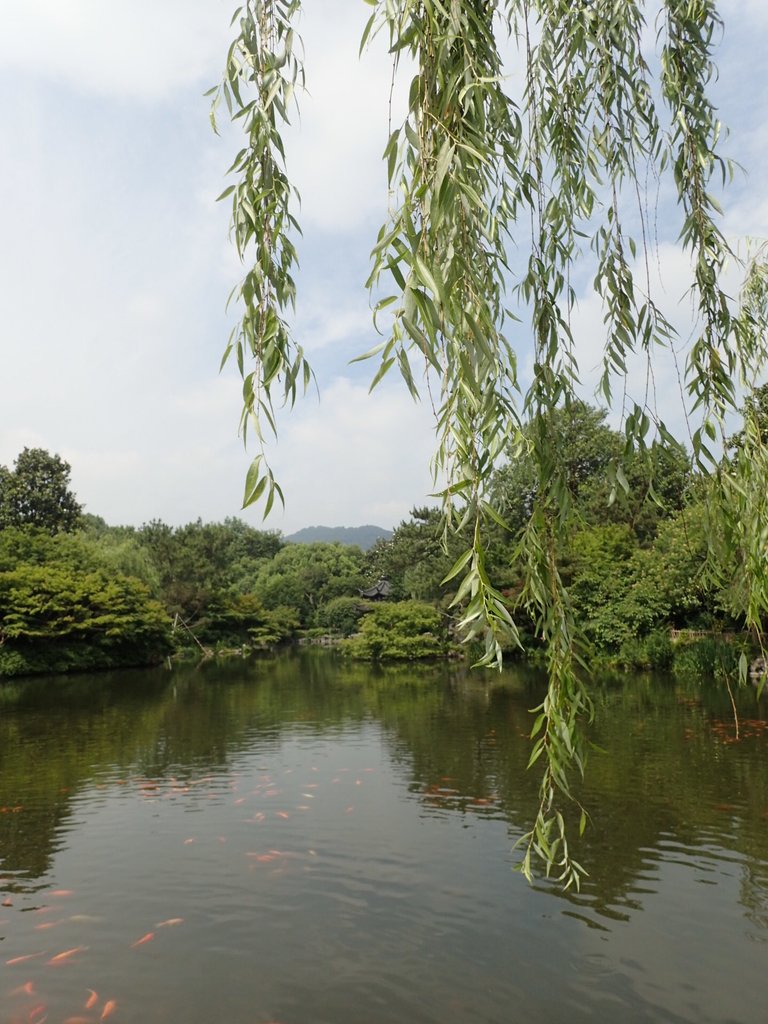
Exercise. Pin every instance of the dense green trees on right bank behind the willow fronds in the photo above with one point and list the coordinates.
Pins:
(633, 568)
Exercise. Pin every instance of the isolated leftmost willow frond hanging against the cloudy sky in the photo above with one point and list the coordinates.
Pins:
(262, 76)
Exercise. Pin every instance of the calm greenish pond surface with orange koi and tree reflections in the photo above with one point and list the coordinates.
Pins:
(308, 842)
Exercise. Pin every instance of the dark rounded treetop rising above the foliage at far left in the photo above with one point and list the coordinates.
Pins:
(36, 493)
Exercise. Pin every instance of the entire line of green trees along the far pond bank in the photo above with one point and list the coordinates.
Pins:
(77, 593)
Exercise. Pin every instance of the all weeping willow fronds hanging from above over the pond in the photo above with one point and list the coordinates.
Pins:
(477, 180)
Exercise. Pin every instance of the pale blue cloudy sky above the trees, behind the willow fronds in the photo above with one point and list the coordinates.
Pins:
(116, 264)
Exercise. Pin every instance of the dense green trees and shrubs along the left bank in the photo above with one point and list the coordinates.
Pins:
(101, 596)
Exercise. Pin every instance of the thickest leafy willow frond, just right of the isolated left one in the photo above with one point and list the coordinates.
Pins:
(444, 251)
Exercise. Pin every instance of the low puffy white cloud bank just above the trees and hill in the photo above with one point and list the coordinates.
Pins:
(353, 459)
